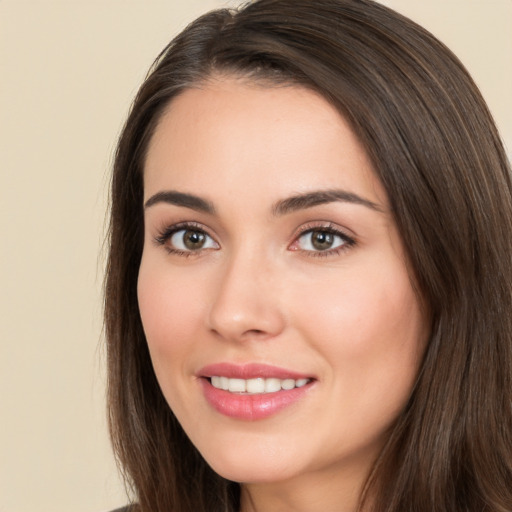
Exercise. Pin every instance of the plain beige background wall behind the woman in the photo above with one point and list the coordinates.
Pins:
(68, 71)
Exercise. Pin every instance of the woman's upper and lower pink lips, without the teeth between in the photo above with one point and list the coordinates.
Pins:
(248, 406)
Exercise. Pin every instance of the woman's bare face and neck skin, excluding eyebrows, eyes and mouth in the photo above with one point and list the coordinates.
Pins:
(259, 291)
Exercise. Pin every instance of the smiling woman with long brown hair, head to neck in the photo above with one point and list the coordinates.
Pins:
(309, 285)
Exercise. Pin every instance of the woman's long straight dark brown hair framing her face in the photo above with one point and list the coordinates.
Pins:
(436, 150)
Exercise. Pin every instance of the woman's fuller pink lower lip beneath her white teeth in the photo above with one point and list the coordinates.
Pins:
(251, 407)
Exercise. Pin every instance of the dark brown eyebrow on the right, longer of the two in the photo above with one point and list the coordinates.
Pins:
(316, 198)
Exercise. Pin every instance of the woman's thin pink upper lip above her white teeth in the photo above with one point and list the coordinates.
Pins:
(249, 371)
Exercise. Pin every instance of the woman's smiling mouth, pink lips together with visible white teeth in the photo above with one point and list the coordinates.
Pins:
(254, 391)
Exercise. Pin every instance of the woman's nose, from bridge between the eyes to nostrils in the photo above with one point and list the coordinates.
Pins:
(246, 301)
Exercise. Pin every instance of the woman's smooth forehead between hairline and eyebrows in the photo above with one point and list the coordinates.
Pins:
(249, 137)
